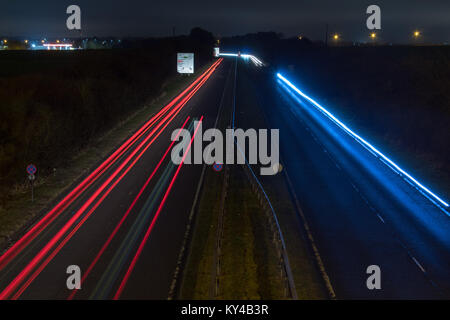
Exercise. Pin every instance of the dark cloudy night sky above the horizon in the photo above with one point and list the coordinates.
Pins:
(39, 18)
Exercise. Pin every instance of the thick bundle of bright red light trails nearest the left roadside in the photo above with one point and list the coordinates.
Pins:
(62, 205)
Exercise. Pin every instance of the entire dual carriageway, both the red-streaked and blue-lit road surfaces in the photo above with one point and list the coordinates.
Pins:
(126, 234)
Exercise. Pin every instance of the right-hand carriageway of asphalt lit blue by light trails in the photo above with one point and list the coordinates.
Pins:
(360, 212)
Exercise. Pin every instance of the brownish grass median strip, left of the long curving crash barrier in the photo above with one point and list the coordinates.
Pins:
(248, 259)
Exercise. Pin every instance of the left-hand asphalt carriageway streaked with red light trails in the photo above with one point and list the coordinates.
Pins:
(38, 270)
